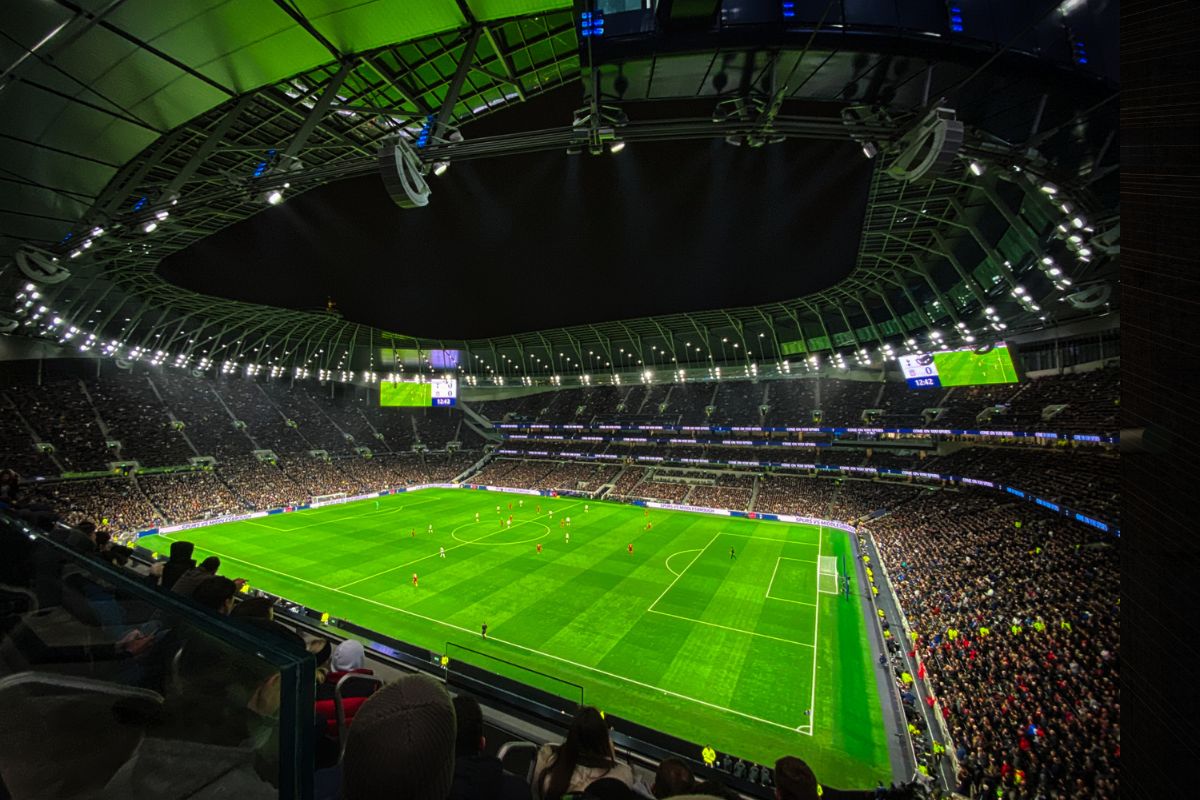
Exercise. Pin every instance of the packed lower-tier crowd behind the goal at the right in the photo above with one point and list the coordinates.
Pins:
(1017, 616)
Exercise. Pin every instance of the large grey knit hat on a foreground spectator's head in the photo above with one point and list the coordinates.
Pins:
(401, 744)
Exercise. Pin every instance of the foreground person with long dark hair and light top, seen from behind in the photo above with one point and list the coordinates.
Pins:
(586, 756)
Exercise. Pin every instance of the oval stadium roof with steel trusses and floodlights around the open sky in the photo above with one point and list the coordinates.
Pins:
(161, 124)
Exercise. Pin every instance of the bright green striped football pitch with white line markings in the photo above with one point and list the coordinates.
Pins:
(740, 653)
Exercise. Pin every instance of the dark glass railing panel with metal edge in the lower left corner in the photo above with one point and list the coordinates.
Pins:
(137, 691)
